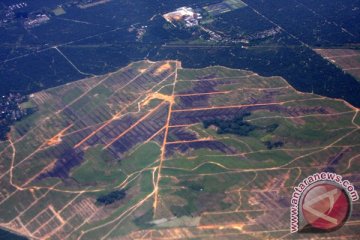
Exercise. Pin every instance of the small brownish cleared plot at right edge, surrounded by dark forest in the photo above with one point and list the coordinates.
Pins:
(347, 59)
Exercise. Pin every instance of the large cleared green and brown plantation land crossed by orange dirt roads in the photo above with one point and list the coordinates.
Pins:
(196, 153)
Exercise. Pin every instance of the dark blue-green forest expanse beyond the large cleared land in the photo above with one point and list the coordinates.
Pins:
(98, 40)
